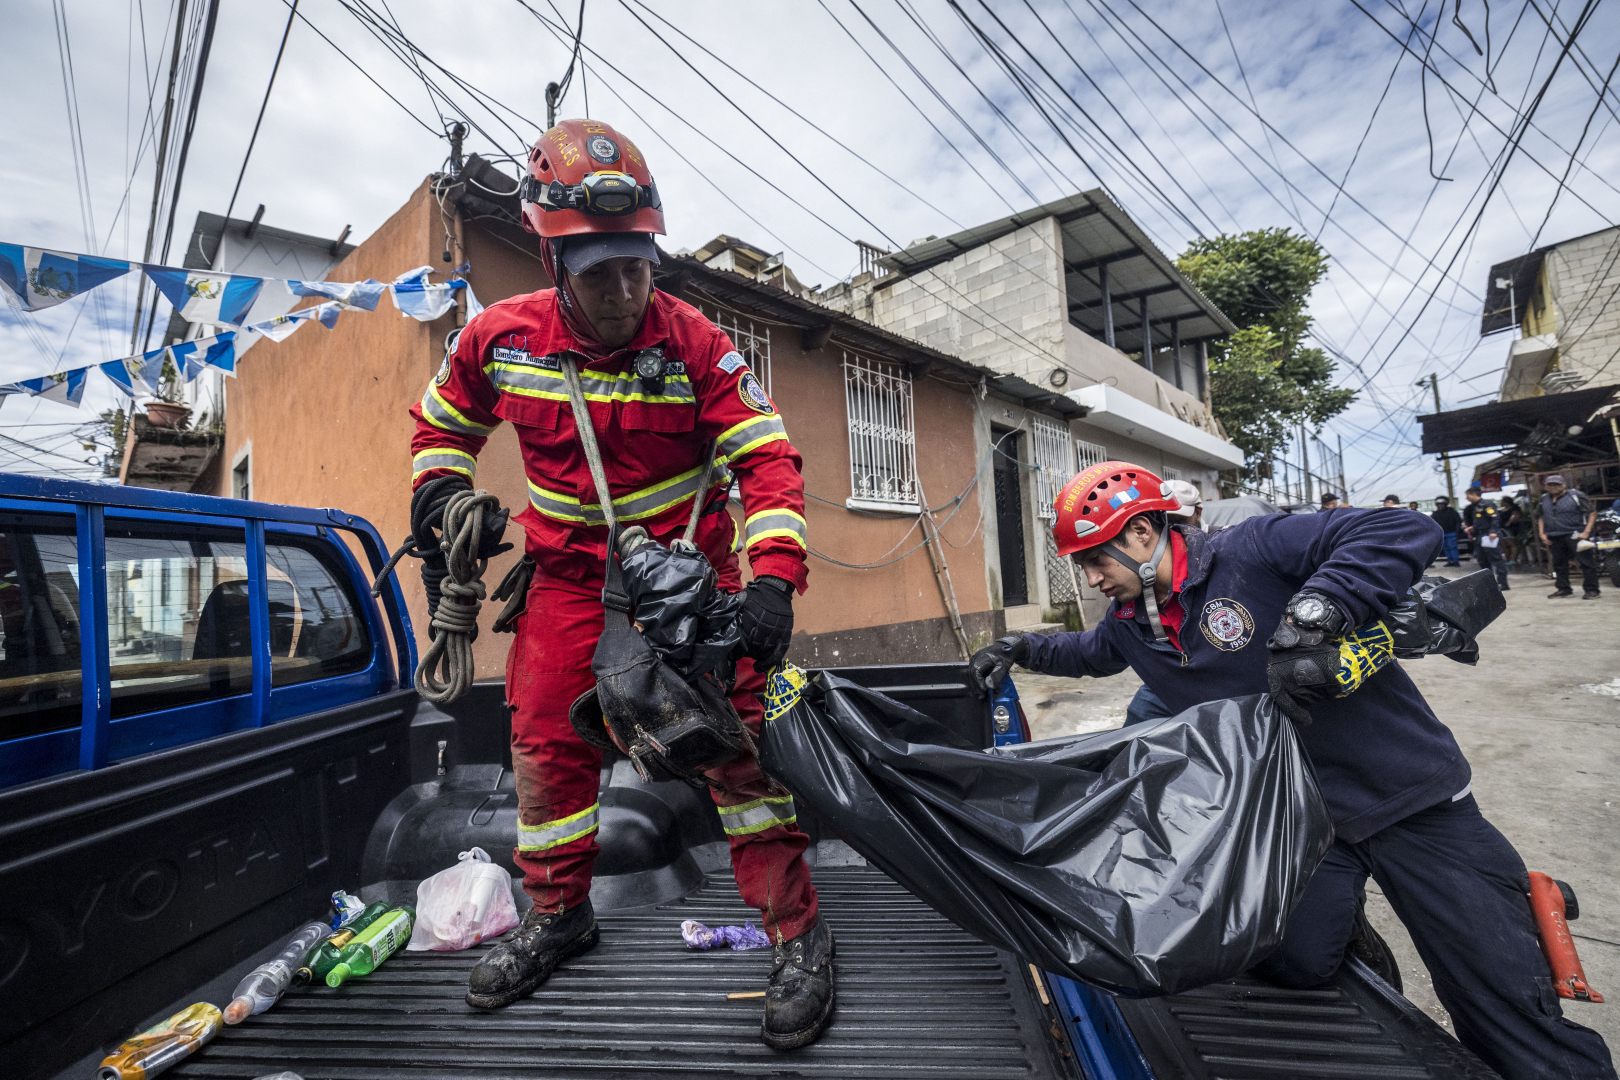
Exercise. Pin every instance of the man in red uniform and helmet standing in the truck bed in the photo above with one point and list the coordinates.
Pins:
(662, 385)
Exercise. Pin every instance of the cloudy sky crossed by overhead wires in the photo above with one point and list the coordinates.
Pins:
(814, 124)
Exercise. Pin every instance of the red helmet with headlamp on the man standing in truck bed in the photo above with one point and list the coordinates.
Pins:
(584, 177)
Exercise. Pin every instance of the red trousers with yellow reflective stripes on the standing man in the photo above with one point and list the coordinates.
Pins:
(558, 775)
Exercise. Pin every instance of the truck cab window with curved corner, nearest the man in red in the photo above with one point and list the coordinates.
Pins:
(317, 629)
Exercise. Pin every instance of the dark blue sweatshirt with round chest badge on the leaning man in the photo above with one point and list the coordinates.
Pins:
(1381, 754)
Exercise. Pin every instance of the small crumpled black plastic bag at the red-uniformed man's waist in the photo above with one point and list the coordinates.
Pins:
(676, 600)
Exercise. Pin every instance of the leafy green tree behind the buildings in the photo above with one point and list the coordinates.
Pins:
(1264, 381)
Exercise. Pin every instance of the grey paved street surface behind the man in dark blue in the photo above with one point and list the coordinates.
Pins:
(1538, 718)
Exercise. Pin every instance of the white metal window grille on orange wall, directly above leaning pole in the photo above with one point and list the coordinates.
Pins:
(882, 432)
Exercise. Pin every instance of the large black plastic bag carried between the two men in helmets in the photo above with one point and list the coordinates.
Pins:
(1148, 861)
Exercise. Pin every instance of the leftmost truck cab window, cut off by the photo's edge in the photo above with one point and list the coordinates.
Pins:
(40, 614)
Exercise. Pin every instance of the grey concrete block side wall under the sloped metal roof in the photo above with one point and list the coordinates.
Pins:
(1000, 305)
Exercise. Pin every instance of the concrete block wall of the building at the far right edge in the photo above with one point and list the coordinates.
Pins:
(1585, 286)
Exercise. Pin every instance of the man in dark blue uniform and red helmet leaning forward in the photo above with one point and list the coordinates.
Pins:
(1192, 614)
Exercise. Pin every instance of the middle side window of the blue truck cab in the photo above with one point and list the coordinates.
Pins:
(177, 616)
